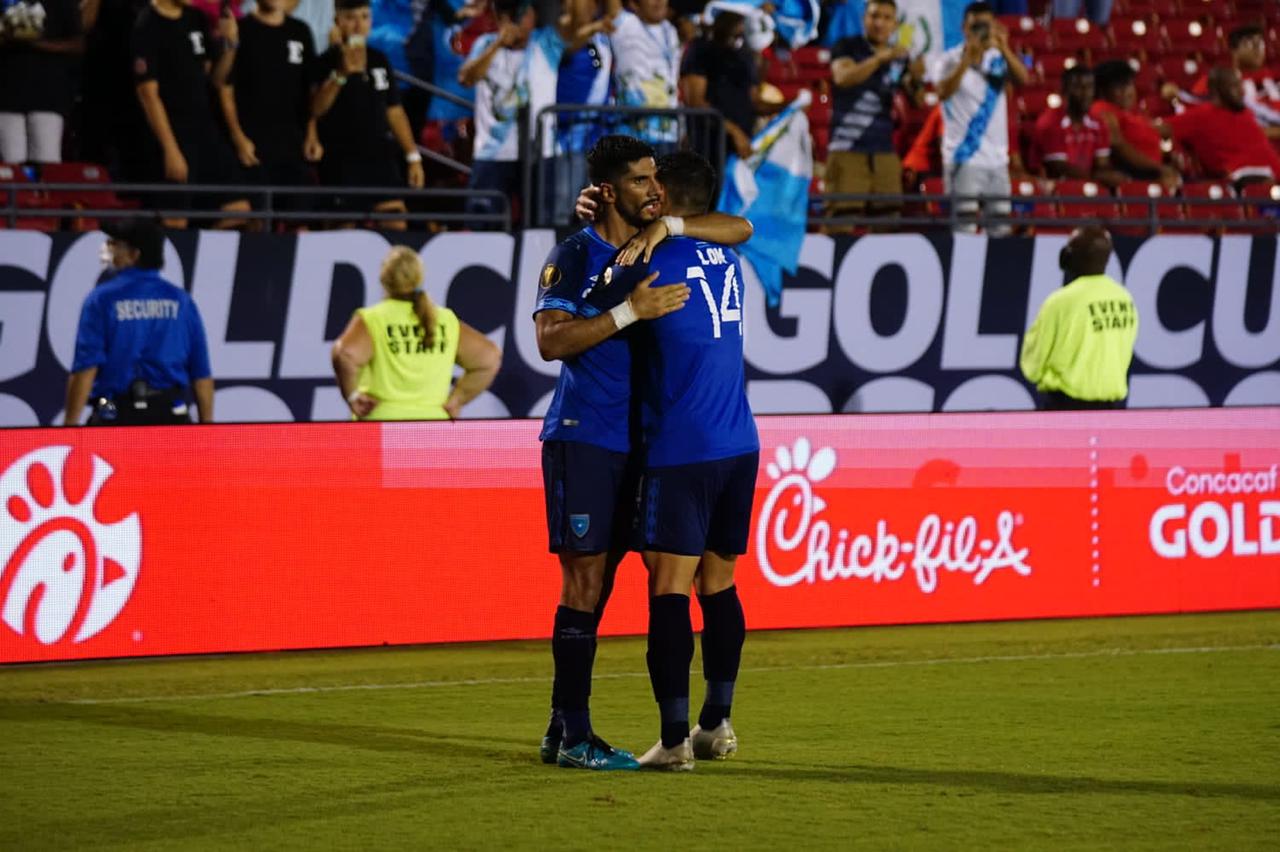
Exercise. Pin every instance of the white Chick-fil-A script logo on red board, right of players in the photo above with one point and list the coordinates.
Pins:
(789, 524)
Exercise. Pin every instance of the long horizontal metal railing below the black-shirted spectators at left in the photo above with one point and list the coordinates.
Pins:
(263, 199)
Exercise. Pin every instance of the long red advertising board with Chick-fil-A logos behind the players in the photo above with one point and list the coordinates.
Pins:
(145, 542)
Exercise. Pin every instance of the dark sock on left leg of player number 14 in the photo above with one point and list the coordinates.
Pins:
(671, 653)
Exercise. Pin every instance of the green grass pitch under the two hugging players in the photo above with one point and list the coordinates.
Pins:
(1100, 734)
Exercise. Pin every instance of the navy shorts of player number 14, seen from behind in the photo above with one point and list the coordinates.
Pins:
(691, 509)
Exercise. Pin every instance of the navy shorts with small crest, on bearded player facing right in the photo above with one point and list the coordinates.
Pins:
(592, 497)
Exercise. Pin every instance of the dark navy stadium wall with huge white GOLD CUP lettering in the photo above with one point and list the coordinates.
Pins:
(886, 323)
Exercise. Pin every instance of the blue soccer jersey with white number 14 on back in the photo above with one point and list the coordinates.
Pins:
(694, 402)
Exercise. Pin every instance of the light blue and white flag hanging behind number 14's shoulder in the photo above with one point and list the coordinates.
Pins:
(771, 189)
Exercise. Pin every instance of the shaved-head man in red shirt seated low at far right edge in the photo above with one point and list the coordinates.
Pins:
(1223, 135)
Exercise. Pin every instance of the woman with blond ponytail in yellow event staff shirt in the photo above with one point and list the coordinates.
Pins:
(395, 360)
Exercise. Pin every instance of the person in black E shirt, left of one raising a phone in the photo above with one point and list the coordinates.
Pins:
(267, 99)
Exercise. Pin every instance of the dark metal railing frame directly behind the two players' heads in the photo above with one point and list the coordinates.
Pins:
(554, 176)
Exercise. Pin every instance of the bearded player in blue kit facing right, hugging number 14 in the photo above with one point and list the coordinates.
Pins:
(587, 436)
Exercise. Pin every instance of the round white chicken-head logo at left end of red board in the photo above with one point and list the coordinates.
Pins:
(63, 570)
